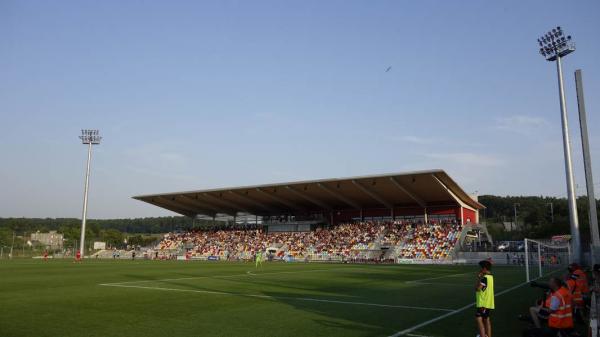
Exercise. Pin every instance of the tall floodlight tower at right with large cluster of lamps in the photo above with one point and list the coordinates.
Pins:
(554, 45)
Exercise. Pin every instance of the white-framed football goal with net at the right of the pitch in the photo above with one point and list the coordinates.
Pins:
(545, 258)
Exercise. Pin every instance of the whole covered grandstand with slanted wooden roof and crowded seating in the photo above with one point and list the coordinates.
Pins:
(421, 215)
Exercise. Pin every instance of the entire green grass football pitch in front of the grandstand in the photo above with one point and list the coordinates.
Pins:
(175, 298)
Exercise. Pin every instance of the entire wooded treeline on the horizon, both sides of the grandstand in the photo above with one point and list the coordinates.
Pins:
(537, 217)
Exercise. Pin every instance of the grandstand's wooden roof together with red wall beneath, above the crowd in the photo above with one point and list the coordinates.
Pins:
(424, 195)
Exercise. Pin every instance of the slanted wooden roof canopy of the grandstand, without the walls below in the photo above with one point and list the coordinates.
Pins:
(418, 189)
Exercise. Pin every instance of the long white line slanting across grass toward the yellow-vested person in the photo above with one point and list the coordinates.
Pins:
(307, 299)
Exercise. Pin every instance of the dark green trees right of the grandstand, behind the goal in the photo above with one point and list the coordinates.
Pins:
(537, 217)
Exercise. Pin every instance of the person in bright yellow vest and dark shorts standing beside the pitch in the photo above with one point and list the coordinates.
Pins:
(484, 298)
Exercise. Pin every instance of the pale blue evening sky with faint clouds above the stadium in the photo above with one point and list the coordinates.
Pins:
(204, 94)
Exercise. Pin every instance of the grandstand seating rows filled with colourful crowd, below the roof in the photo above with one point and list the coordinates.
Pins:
(348, 241)
